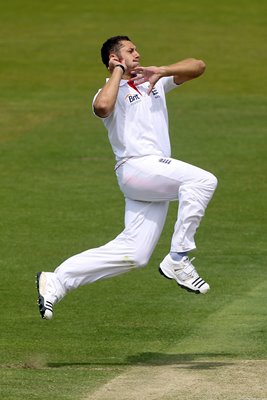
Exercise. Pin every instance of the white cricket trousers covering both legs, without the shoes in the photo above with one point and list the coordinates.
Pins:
(148, 184)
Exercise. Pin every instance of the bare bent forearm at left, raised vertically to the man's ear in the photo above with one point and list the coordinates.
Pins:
(105, 101)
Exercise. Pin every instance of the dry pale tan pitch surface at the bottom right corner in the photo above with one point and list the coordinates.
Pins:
(236, 380)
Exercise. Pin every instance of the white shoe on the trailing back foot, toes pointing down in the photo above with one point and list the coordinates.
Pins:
(49, 293)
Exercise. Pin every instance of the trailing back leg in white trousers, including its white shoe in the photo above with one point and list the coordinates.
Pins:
(131, 249)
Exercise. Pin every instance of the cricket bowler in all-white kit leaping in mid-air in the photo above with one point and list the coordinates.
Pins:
(132, 107)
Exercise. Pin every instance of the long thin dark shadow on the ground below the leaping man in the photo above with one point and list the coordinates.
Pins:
(189, 361)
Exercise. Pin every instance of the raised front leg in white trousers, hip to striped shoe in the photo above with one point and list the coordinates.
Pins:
(156, 178)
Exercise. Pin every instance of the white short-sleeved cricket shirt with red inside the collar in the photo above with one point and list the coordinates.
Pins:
(138, 125)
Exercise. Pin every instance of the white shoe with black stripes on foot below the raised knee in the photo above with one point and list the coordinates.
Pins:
(184, 273)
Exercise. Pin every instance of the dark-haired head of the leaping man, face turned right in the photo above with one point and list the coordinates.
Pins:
(122, 47)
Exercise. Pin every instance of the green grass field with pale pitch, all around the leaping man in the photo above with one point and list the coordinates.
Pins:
(136, 336)
